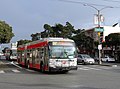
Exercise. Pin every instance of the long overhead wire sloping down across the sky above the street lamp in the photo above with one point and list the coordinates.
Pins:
(83, 3)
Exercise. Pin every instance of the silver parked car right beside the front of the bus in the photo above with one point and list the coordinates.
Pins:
(85, 59)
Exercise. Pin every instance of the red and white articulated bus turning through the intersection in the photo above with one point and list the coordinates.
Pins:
(49, 54)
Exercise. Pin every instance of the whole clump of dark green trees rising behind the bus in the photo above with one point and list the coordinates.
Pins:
(67, 31)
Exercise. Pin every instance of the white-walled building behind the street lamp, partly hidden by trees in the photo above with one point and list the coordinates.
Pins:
(101, 38)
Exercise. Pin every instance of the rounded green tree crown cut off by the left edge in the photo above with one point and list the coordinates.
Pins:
(5, 32)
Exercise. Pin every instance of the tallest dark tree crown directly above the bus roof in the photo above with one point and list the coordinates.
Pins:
(59, 30)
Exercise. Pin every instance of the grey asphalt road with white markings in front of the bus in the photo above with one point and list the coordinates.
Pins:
(86, 77)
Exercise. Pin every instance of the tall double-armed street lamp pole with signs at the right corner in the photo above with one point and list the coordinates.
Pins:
(98, 20)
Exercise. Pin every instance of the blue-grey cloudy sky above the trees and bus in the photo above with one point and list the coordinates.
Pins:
(28, 17)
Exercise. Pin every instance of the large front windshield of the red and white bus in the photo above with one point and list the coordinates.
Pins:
(62, 52)
